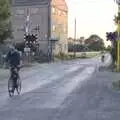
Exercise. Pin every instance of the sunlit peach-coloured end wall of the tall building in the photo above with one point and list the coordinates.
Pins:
(60, 24)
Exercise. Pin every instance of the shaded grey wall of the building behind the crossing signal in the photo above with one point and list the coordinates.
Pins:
(38, 16)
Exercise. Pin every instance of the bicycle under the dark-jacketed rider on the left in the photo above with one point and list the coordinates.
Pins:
(14, 83)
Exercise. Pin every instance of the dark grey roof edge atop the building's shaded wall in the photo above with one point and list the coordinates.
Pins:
(29, 2)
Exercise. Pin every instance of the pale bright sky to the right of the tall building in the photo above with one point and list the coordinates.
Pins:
(92, 17)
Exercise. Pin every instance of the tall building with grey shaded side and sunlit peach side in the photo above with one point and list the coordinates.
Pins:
(46, 18)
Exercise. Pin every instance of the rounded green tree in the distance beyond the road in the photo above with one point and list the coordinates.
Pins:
(94, 42)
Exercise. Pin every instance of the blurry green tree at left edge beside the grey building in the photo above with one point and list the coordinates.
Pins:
(5, 23)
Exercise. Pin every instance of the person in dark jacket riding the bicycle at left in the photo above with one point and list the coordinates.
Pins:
(13, 59)
